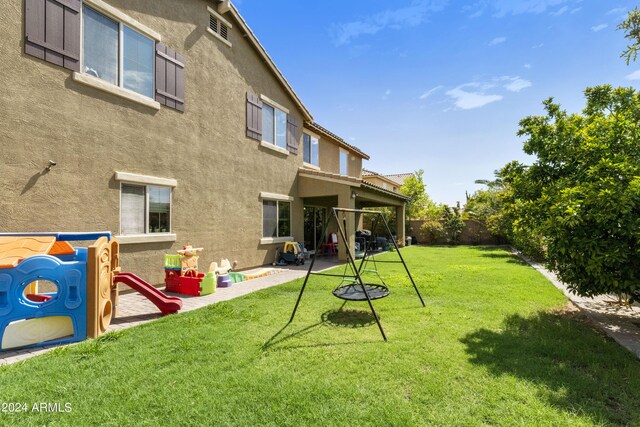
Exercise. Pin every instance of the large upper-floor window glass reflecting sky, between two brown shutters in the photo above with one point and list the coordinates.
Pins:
(117, 53)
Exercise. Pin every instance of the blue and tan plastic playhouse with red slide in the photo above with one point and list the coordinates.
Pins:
(53, 293)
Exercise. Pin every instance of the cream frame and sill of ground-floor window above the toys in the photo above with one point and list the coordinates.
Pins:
(146, 181)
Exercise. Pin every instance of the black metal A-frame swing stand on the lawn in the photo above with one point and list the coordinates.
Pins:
(351, 261)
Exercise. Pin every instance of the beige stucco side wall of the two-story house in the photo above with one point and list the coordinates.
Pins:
(91, 134)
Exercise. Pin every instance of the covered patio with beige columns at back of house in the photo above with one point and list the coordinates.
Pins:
(321, 191)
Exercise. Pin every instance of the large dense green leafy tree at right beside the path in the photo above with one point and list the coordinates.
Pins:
(583, 191)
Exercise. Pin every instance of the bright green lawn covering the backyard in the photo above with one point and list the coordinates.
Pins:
(493, 347)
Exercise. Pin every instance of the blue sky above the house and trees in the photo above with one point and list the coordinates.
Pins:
(441, 85)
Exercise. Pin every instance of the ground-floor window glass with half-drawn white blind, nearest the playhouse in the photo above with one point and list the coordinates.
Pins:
(144, 209)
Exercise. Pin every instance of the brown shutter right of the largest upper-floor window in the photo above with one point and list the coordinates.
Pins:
(169, 77)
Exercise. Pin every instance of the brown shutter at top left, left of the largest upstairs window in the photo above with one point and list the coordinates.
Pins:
(52, 31)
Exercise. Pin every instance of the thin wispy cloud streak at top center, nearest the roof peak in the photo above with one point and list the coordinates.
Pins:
(410, 16)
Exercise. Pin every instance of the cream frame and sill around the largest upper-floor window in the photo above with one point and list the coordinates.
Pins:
(97, 83)
